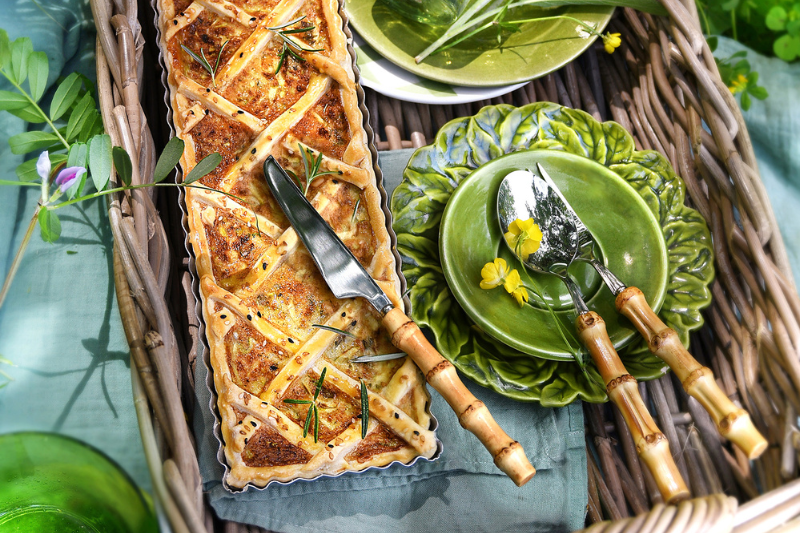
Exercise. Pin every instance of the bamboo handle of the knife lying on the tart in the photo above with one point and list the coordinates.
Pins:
(472, 413)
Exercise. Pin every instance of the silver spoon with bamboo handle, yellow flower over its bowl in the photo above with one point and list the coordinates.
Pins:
(523, 196)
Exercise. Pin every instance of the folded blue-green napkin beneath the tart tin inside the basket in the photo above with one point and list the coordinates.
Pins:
(461, 491)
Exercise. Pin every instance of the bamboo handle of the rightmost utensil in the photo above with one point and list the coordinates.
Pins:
(698, 381)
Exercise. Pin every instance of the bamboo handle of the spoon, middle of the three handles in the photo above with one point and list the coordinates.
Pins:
(651, 444)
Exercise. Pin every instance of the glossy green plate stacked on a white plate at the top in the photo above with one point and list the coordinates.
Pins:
(538, 49)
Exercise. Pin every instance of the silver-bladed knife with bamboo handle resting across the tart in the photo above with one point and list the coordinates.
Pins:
(348, 279)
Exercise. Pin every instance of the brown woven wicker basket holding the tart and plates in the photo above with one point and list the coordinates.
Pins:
(663, 86)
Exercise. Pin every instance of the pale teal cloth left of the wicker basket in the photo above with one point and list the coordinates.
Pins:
(60, 324)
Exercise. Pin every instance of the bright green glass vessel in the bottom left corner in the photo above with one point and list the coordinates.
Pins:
(54, 483)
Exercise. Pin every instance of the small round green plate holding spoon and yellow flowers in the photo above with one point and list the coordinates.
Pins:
(627, 232)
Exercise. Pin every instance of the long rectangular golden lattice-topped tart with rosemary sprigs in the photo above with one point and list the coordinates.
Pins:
(263, 298)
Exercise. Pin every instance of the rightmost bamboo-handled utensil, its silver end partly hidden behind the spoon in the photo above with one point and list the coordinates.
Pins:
(732, 422)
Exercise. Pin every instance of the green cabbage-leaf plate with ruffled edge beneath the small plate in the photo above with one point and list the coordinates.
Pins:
(465, 144)
